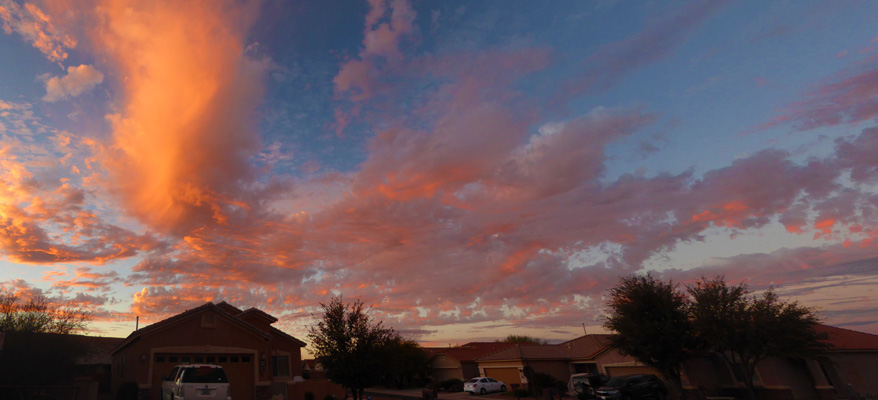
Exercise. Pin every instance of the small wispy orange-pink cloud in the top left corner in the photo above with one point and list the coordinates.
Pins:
(36, 27)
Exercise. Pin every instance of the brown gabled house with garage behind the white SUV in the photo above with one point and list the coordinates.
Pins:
(252, 352)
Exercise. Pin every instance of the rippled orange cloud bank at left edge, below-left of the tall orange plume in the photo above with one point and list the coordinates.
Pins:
(45, 214)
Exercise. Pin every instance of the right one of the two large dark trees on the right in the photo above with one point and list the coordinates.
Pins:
(745, 330)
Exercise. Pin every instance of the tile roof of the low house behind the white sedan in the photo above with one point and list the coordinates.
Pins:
(584, 347)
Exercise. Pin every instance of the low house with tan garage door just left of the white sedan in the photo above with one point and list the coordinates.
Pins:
(460, 362)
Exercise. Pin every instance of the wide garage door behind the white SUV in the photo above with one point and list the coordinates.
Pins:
(238, 368)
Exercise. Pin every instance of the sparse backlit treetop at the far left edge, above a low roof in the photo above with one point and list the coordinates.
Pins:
(37, 315)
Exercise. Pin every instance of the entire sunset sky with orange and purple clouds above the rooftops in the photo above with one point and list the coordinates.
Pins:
(467, 169)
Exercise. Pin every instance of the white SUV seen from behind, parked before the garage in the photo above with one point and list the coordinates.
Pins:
(196, 381)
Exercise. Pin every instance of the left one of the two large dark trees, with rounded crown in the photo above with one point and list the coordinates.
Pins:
(650, 323)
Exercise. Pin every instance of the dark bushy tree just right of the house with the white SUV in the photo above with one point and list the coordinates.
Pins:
(350, 346)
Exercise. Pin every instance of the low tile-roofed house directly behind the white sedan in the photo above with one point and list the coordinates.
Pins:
(589, 353)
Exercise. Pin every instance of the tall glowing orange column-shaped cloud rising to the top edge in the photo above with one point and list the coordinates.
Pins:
(184, 136)
